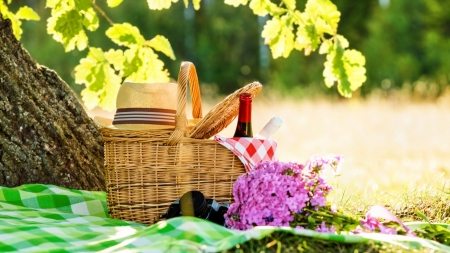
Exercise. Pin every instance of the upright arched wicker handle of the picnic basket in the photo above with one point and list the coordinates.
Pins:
(187, 73)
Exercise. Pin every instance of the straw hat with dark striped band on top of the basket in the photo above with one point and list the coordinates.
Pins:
(142, 106)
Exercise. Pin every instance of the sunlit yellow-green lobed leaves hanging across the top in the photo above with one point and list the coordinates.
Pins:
(102, 71)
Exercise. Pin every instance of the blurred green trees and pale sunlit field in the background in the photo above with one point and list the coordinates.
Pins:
(394, 133)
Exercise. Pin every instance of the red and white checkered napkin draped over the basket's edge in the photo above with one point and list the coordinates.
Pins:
(250, 150)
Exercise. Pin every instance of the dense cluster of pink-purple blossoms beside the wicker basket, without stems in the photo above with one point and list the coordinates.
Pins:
(274, 191)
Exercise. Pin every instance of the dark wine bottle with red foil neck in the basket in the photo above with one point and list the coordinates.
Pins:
(244, 126)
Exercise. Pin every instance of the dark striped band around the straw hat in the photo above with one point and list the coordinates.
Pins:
(150, 116)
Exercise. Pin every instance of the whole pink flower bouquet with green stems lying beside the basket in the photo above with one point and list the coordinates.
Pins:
(291, 194)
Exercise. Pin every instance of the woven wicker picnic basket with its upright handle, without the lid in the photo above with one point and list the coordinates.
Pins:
(147, 170)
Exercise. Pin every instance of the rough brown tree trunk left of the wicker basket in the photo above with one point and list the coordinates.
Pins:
(46, 136)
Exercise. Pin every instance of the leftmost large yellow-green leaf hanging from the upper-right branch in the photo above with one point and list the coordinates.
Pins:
(279, 36)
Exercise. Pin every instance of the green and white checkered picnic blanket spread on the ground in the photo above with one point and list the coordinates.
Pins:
(47, 218)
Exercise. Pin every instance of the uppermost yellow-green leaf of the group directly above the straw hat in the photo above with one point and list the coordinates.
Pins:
(125, 35)
